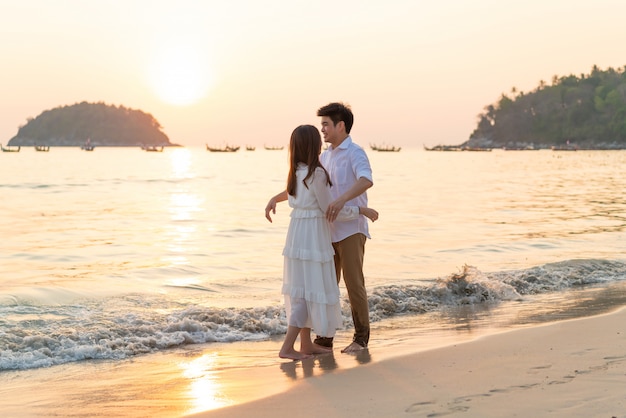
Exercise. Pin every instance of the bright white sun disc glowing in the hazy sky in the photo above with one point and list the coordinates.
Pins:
(180, 74)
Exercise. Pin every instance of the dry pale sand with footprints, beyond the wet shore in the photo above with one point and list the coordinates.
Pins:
(574, 368)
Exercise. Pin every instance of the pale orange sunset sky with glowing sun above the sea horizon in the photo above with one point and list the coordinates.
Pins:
(249, 71)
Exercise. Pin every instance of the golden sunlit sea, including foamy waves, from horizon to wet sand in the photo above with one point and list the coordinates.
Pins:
(120, 253)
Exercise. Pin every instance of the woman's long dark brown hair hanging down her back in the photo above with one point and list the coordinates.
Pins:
(304, 147)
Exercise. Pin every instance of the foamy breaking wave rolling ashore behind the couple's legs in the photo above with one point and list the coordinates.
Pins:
(42, 336)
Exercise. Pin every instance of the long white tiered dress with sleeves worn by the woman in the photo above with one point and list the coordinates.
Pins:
(309, 278)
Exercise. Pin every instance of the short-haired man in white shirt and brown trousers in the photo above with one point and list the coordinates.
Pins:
(351, 175)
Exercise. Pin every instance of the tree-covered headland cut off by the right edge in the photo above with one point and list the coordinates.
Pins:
(588, 111)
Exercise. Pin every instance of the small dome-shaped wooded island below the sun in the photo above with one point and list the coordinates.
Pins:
(101, 124)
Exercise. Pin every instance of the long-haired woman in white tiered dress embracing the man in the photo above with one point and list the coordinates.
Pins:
(309, 279)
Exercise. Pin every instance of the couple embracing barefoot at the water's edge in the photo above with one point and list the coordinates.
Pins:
(328, 197)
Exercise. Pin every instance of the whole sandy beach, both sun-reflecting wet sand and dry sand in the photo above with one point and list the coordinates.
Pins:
(484, 370)
